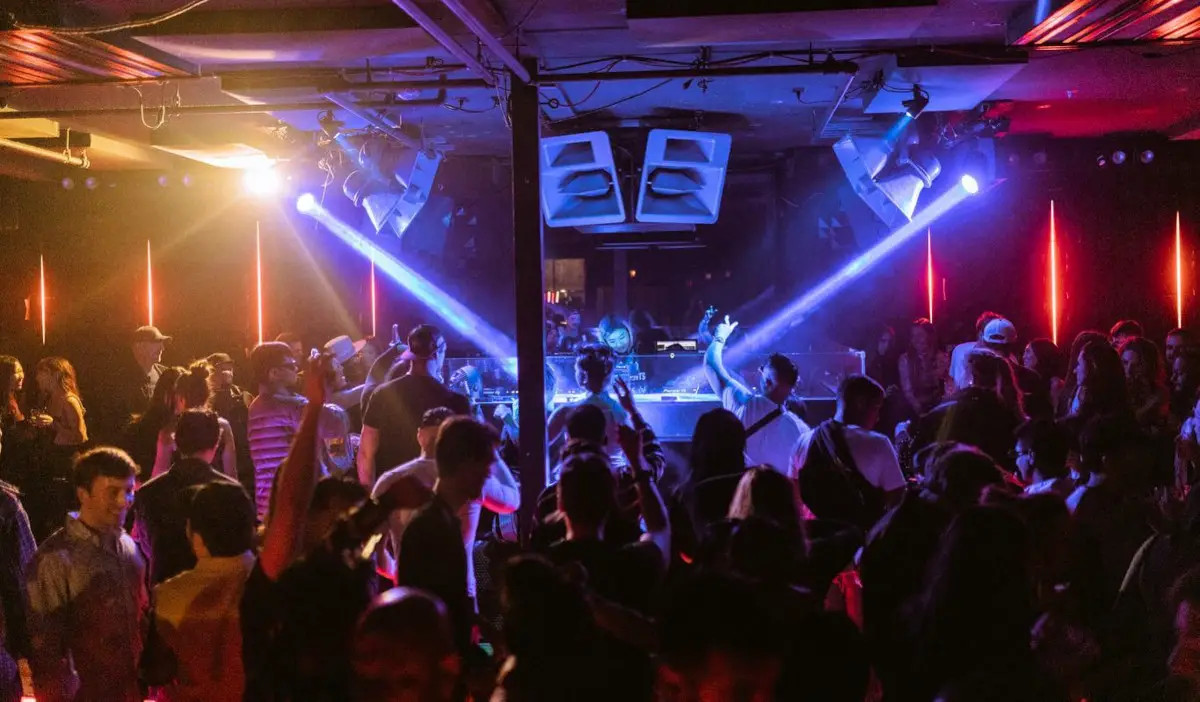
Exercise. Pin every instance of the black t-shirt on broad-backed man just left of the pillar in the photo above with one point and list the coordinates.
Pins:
(395, 411)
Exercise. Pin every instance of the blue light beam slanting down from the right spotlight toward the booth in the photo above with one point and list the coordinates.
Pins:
(800, 309)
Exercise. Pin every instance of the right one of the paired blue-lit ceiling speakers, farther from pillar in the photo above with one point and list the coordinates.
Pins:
(683, 176)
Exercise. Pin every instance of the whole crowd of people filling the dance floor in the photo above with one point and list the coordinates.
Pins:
(992, 521)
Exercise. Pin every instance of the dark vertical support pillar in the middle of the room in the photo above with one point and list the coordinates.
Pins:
(529, 254)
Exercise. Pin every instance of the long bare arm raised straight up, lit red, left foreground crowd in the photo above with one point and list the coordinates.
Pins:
(297, 481)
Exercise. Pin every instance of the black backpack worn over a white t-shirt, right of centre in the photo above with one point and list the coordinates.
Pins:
(831, 484)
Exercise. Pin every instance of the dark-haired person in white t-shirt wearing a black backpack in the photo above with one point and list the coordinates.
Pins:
(849, 473)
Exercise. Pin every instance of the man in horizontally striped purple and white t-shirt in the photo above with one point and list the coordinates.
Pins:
(275, 417)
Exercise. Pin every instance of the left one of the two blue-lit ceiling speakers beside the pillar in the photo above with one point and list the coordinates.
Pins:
(579, 182)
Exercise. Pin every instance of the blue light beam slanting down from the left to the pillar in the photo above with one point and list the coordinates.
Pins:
(494, 343)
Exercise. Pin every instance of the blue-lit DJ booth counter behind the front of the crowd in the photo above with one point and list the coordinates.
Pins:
(670, 389)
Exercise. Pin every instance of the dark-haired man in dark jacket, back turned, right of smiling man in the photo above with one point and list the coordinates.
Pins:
(160, 509)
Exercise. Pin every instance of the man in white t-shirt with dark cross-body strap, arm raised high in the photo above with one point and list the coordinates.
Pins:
(773, 433)
